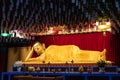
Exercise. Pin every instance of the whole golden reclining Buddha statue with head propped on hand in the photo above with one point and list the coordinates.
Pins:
(63, 53)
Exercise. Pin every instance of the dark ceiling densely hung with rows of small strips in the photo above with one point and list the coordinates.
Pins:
(33, 15)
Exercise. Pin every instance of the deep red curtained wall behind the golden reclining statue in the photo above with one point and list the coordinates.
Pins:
(90, 41)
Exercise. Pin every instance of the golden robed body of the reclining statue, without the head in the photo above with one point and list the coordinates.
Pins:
(68, 53)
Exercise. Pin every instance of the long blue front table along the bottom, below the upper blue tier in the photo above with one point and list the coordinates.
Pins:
(64, 74)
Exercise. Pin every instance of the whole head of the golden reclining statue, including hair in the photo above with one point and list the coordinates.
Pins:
(39, 48)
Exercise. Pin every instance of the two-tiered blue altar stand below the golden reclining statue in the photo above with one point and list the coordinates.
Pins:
(108, 75)
